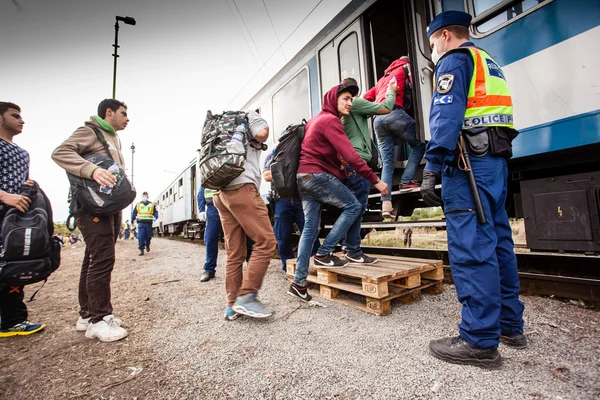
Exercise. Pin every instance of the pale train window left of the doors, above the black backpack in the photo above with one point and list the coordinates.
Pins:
(291, 103)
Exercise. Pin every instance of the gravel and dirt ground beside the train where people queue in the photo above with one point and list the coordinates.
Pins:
(182, 347)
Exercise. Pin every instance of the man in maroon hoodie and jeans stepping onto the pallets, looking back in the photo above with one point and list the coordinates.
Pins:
(321, 172)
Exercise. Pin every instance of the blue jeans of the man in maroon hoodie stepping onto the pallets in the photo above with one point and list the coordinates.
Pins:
(315, 190)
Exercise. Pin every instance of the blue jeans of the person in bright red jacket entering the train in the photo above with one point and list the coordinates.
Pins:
(397, 125)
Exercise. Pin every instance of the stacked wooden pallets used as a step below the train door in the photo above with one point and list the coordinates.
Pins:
(372, 287)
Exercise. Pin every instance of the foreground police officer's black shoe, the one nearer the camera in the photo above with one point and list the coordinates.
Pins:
(456, 350)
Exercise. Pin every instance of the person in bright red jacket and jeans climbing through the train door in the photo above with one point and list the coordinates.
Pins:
(395, 125)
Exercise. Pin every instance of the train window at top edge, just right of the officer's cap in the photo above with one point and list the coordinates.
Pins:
(491, 15)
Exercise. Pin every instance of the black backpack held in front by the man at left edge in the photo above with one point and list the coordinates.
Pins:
(29, 251)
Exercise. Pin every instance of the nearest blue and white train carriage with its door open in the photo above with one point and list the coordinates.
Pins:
(546, 50)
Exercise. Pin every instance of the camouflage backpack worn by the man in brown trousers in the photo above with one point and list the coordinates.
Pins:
(222, 159)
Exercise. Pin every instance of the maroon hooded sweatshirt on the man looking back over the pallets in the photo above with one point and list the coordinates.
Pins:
(325, 141)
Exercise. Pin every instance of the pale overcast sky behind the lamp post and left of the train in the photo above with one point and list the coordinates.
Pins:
(182, 58)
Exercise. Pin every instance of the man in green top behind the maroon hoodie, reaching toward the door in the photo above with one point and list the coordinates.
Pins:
(356, 126)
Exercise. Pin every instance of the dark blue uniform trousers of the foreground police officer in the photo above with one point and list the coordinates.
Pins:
(482, 258)
